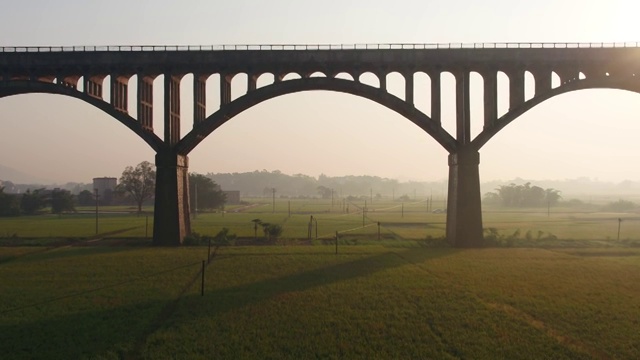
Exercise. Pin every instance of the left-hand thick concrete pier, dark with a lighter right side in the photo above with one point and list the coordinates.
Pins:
(171, 221)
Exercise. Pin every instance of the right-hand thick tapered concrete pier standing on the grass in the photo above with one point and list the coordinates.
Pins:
(464, 208)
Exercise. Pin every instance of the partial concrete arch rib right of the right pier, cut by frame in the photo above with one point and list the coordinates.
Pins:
(631, 83)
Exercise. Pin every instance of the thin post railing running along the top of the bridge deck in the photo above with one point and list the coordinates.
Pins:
(138, 48)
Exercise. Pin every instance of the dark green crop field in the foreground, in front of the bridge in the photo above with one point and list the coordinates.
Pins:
(293, 302)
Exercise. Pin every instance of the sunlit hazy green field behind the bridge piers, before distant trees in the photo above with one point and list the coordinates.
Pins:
(398, 222)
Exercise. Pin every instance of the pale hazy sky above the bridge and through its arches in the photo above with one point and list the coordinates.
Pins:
(592, 133)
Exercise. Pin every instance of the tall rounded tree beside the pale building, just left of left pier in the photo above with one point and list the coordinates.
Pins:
(139, 182)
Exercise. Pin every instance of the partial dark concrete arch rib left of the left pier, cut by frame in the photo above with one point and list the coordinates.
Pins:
(21, 87)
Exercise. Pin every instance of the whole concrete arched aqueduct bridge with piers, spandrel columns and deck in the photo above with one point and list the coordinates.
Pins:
(80, 72)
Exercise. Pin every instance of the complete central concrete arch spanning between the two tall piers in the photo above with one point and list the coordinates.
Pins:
(224, 114)
